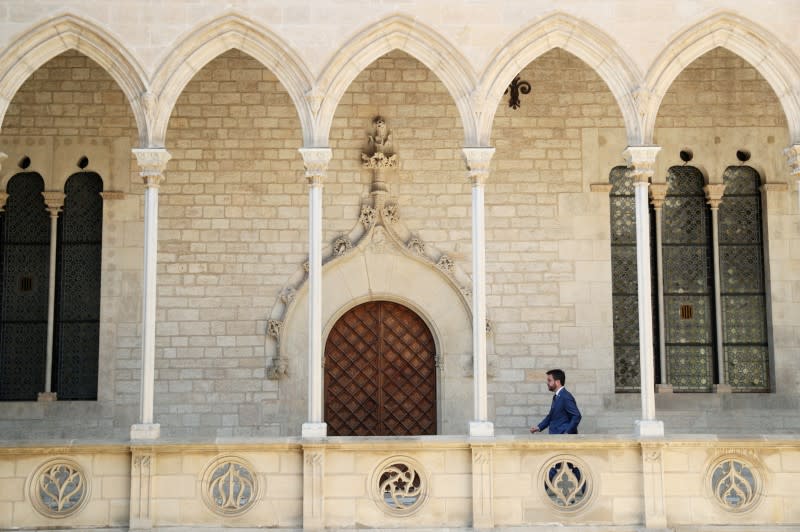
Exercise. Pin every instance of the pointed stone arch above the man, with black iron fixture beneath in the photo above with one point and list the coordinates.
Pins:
(586, 42)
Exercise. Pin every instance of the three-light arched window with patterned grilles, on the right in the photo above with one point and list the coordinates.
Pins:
(690, 317)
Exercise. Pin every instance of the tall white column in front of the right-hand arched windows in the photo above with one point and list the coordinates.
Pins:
(641, 162)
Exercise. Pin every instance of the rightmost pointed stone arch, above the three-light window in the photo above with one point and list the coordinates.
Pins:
(773, 61)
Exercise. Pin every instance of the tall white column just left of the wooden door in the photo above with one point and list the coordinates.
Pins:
(316, 163)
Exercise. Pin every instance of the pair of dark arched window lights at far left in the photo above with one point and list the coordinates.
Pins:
(25, 254)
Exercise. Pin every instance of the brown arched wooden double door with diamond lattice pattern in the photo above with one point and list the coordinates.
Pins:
(380, 373)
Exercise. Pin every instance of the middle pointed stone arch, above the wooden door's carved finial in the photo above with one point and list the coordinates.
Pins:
(402, 33)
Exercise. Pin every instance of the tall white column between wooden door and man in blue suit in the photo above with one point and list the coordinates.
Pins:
(478, 160)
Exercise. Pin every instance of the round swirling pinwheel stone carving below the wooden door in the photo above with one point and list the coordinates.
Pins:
(399, 486)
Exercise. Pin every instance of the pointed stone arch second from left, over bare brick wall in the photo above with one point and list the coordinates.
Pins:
(209, 41)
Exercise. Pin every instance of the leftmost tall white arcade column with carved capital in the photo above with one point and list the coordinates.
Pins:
(152, 163)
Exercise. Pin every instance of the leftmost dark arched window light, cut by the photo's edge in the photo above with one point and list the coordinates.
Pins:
(23, 312)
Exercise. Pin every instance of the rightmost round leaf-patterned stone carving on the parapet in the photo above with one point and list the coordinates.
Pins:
(735, 484)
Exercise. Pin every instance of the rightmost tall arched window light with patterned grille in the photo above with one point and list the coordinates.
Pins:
(744, 318)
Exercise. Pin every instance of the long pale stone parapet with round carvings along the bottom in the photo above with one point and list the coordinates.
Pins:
(620, 483)
